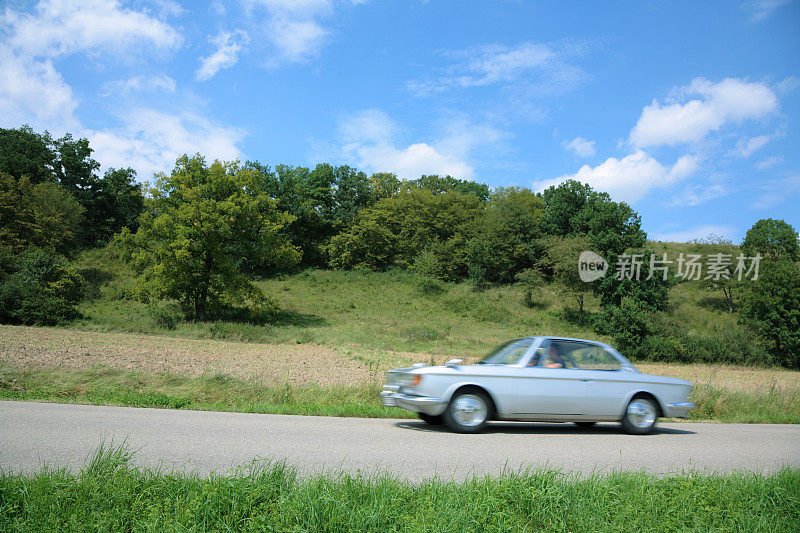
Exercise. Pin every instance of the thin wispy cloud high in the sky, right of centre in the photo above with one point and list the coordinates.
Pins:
(528, 63)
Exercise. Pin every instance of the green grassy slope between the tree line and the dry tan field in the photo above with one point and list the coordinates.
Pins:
(380, 311)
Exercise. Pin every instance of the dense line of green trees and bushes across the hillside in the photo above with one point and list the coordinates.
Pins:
(199, 234)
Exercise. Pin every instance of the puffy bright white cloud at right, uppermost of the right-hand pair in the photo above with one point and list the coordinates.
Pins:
(730, 100)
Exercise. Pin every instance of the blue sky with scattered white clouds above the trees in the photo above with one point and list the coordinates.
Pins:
(690, 111)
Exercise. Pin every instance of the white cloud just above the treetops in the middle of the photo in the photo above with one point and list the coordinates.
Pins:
(369, 140)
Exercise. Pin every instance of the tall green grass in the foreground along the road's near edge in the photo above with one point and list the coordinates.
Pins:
(108, 494)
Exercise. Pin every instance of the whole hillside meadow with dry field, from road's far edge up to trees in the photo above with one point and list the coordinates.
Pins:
(335, 335)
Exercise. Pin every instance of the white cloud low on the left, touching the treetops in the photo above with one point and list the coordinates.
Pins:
(150, 141)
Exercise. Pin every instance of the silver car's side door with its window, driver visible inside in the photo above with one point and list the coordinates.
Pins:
(548, 390)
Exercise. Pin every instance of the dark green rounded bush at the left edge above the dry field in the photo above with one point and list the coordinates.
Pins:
(39, 288)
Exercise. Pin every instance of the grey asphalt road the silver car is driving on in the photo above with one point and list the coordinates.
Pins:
(34, 434)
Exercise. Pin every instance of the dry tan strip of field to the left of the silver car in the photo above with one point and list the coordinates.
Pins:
(298, 364)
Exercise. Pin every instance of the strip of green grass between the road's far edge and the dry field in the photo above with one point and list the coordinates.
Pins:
(220, 392)
